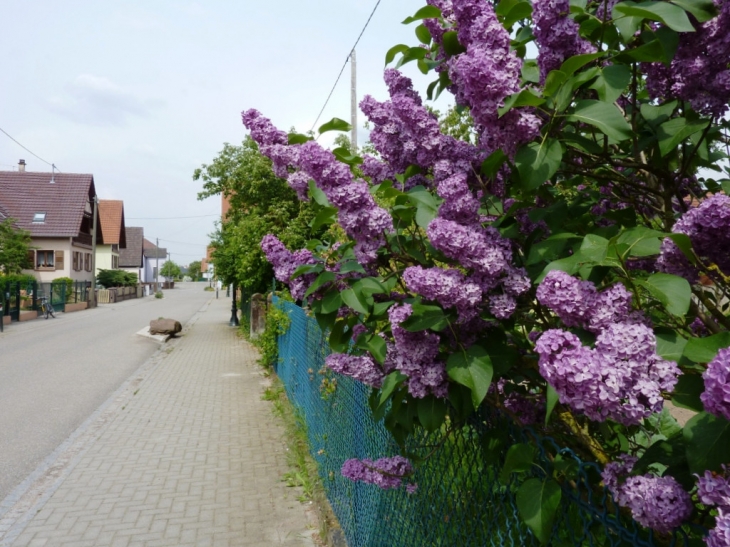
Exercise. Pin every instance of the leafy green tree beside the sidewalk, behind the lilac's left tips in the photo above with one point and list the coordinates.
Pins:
(261, 203)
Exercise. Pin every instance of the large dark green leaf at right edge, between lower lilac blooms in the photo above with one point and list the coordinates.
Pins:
(708, 442)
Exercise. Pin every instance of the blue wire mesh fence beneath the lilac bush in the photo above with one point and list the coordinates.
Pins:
(460, 500)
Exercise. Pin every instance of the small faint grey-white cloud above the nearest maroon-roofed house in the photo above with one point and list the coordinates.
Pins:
(95, 100)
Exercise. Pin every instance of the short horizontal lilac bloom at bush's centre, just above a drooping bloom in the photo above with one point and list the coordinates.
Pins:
(448, 287)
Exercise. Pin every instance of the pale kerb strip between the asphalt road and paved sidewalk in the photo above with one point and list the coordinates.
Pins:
(21, 505)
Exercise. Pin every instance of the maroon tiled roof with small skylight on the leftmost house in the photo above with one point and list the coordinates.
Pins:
(25, 194)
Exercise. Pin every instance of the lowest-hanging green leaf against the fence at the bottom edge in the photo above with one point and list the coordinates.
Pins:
(538, 502)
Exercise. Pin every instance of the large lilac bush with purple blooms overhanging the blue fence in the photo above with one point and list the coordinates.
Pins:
(577, 256)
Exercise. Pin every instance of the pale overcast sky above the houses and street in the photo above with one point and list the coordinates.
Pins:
(140, 93)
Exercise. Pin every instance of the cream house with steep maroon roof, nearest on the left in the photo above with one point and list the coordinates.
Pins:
(57, 210)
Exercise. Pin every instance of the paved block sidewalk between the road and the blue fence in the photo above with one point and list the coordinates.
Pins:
(185, 454)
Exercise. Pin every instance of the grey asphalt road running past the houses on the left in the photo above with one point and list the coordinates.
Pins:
(55, 373)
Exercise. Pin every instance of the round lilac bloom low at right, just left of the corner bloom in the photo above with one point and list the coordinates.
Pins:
(659, 503)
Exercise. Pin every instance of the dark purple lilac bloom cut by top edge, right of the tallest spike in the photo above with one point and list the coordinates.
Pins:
(556, 34)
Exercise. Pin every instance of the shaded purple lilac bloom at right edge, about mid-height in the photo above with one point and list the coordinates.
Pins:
(708, 227)
